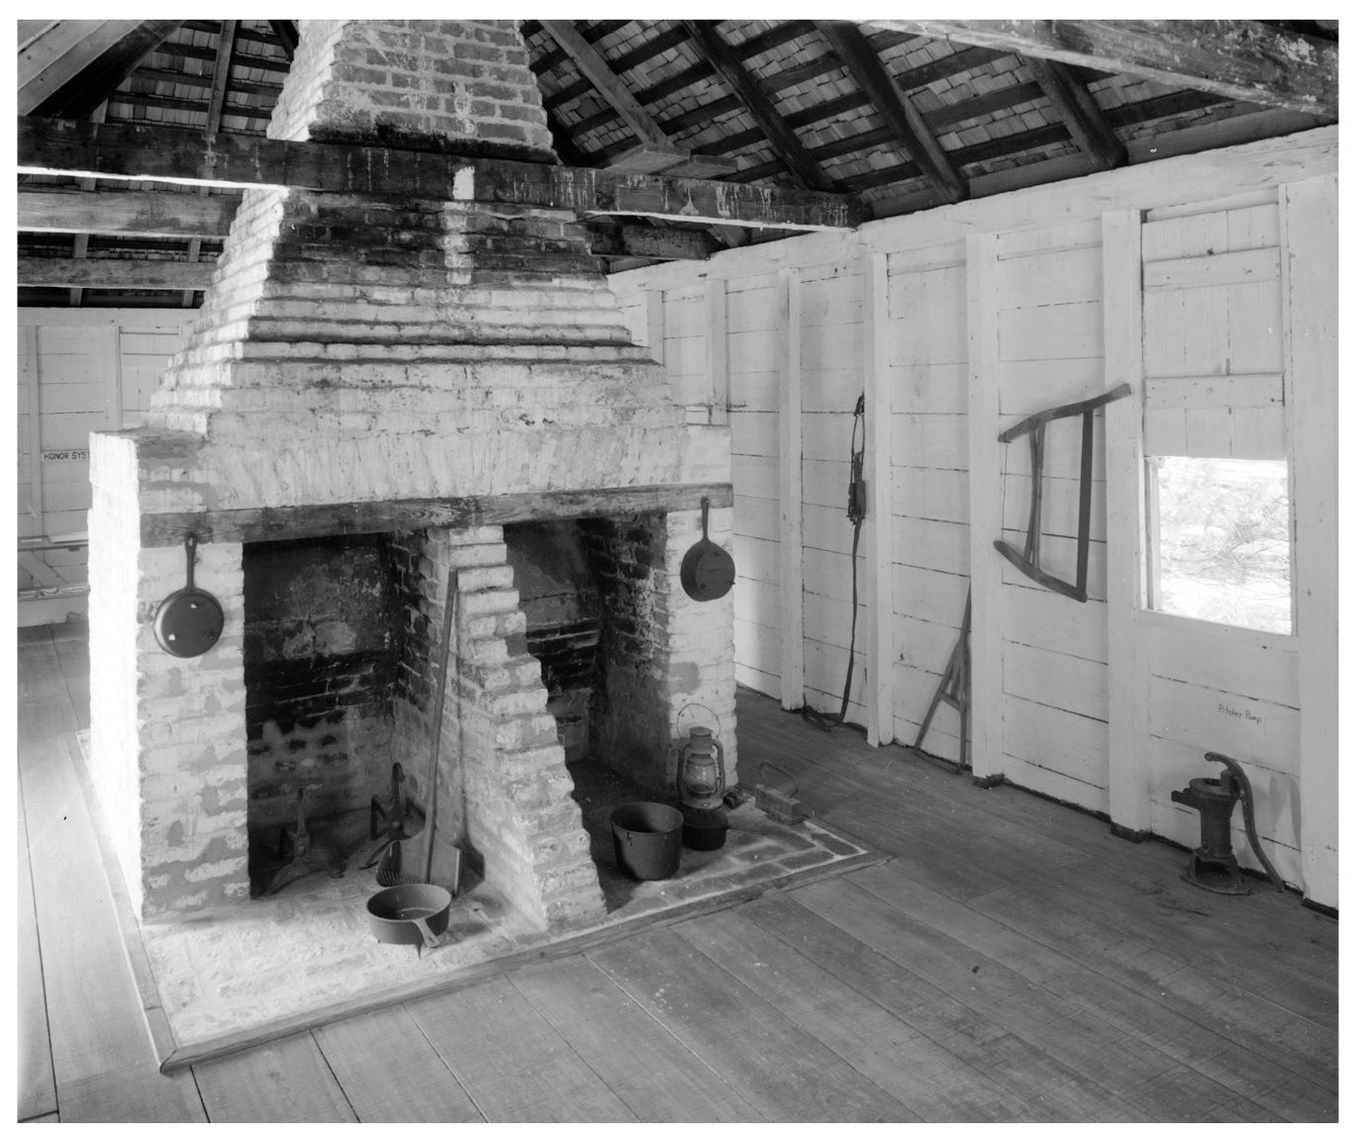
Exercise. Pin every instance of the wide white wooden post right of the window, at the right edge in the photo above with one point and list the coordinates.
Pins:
(1310, 277)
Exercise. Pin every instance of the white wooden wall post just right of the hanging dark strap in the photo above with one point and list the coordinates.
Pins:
(879, 507)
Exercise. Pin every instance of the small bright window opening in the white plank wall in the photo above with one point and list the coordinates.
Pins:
(1221, 541)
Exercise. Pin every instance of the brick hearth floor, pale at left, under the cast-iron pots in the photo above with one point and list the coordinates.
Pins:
(307, 956)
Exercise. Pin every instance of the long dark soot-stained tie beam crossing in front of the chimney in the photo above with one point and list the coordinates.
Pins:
(158, 154)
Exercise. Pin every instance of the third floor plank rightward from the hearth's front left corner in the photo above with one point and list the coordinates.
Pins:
(512, 1063)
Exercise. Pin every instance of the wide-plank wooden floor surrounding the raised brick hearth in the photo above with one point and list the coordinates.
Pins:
(1011, 961)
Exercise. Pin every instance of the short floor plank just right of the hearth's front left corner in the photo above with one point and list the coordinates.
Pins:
(284, 1082)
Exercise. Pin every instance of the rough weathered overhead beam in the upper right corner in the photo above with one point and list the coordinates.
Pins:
(1236, 59)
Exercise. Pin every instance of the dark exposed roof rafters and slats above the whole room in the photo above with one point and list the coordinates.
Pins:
(678, 138)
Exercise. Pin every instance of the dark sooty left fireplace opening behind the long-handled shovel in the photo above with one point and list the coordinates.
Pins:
(323, 650)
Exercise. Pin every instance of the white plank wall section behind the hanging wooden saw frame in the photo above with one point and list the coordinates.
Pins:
(1054, 666)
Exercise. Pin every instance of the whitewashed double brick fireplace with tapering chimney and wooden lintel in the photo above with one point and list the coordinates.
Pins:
(384, 400)
